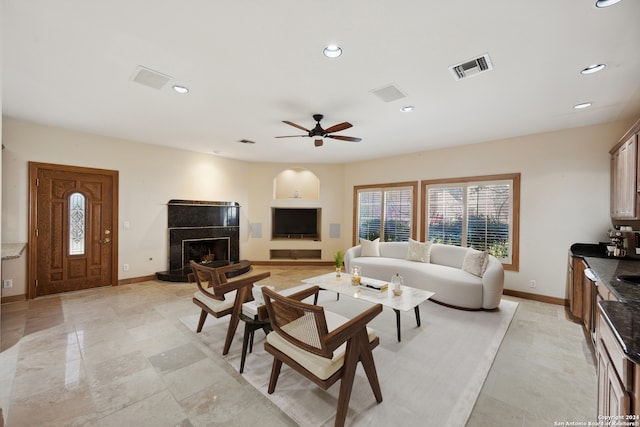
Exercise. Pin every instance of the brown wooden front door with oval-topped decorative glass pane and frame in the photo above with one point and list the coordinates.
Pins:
(73, 221)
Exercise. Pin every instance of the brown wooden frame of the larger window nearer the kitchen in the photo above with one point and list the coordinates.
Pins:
(475, 180)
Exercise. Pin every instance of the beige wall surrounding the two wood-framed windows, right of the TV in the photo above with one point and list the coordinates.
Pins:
(564, 191)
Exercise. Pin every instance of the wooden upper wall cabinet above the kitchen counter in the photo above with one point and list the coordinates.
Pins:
(625, 179)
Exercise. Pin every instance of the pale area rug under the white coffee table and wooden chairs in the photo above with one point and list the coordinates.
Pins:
(431, 378)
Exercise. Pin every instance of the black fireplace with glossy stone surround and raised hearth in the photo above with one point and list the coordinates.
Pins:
(206, 232)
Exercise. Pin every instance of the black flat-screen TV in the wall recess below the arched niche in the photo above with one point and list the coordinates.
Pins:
(295, 223)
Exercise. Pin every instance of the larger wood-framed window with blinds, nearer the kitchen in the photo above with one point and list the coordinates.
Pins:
(480, 212)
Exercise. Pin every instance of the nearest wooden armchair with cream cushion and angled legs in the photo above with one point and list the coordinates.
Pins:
(321, 345)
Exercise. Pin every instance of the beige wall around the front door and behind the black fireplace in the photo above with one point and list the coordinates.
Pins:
(149, 177)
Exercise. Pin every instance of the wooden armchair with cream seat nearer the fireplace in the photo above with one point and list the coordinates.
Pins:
(219, 297)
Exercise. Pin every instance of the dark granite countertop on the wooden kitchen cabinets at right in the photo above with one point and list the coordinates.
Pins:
(623, 316)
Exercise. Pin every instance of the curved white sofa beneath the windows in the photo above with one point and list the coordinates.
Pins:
(443, 274)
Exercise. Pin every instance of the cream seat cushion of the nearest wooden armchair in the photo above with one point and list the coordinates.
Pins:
(319, 366)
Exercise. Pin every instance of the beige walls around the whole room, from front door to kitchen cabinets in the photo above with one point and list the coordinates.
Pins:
(565, 191)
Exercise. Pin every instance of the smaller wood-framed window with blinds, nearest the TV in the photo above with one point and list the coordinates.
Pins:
(386, 211)
